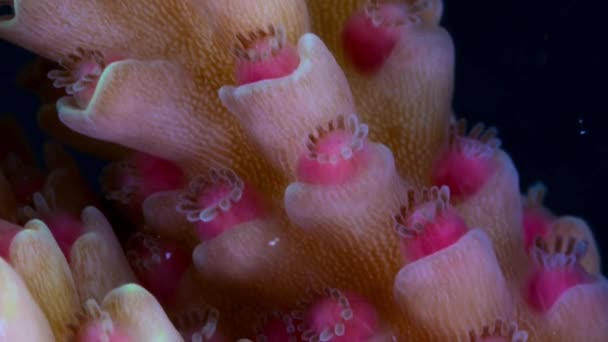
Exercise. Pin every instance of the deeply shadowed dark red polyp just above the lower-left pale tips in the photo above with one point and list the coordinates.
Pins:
(158, 264)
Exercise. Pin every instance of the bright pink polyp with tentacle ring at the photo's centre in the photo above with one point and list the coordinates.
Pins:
(339, 164)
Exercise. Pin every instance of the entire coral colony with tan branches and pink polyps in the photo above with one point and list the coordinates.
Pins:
(285, 170)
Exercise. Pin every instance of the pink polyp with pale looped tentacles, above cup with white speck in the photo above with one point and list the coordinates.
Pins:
(247, 208)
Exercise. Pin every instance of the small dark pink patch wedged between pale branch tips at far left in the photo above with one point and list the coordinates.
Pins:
(66, 229)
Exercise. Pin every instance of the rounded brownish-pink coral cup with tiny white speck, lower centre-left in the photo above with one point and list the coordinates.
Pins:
(255, 257)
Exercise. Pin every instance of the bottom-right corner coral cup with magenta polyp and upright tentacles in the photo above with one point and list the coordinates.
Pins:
(565, 301)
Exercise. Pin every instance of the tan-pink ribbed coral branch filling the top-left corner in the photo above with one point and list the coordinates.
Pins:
(56, 29)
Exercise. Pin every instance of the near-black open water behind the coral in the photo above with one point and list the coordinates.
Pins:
(536, 70)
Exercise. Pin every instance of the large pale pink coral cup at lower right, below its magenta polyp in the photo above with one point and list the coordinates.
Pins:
(436, 292)
